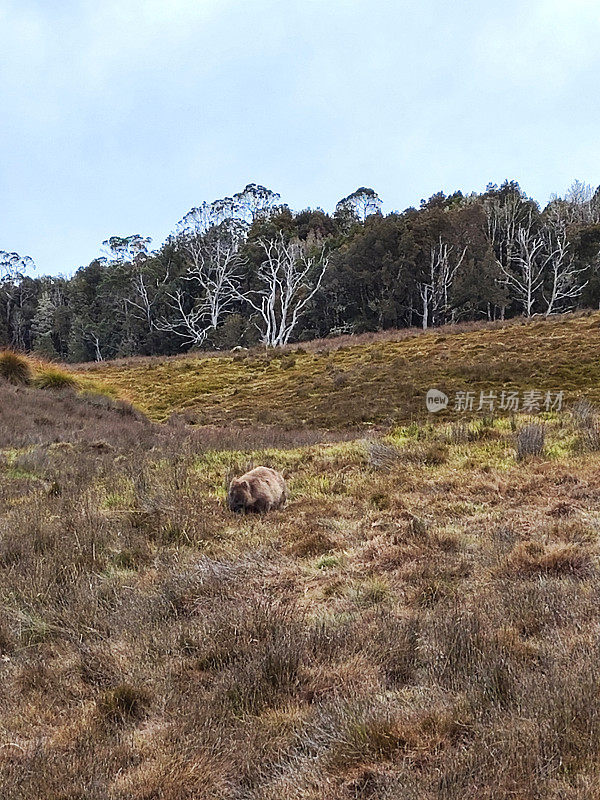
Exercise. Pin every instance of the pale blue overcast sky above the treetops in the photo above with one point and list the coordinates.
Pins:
(118, 116)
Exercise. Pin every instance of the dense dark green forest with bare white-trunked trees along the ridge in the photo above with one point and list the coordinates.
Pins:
(246, 269)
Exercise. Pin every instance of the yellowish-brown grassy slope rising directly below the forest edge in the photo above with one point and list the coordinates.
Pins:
(333, 385)
